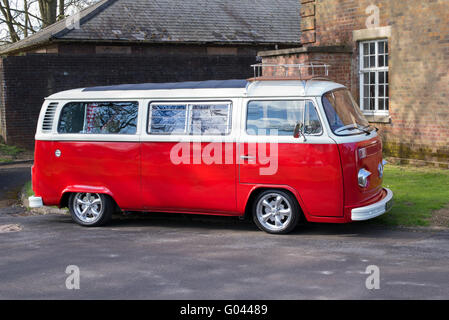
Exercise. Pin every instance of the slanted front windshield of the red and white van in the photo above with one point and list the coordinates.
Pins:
(343, 114)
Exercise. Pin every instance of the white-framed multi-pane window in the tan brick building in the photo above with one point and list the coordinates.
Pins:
(374, 89)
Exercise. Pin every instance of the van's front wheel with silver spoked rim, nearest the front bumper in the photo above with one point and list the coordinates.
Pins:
(276, 211)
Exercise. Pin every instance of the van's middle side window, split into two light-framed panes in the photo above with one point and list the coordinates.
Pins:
(192, 119)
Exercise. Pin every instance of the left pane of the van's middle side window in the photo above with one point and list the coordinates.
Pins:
(167, 119)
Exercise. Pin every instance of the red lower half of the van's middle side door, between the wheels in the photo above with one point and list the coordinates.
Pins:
(192, 185)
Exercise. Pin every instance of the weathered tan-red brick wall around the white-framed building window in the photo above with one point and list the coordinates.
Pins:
(419, 64)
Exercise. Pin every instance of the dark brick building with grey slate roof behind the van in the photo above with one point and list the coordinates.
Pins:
(134, 41)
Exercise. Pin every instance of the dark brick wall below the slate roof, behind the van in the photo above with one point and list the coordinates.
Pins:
(27, 80)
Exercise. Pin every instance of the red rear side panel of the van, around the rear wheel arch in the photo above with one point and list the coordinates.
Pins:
(86, 166)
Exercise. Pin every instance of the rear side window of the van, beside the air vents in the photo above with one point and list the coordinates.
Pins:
(99, 118)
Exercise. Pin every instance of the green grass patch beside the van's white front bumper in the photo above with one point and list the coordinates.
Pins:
(418, 192)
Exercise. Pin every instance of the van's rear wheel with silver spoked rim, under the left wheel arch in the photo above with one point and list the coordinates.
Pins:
(91, 209)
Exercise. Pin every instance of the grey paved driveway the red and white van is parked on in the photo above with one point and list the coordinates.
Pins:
(178, 257)
